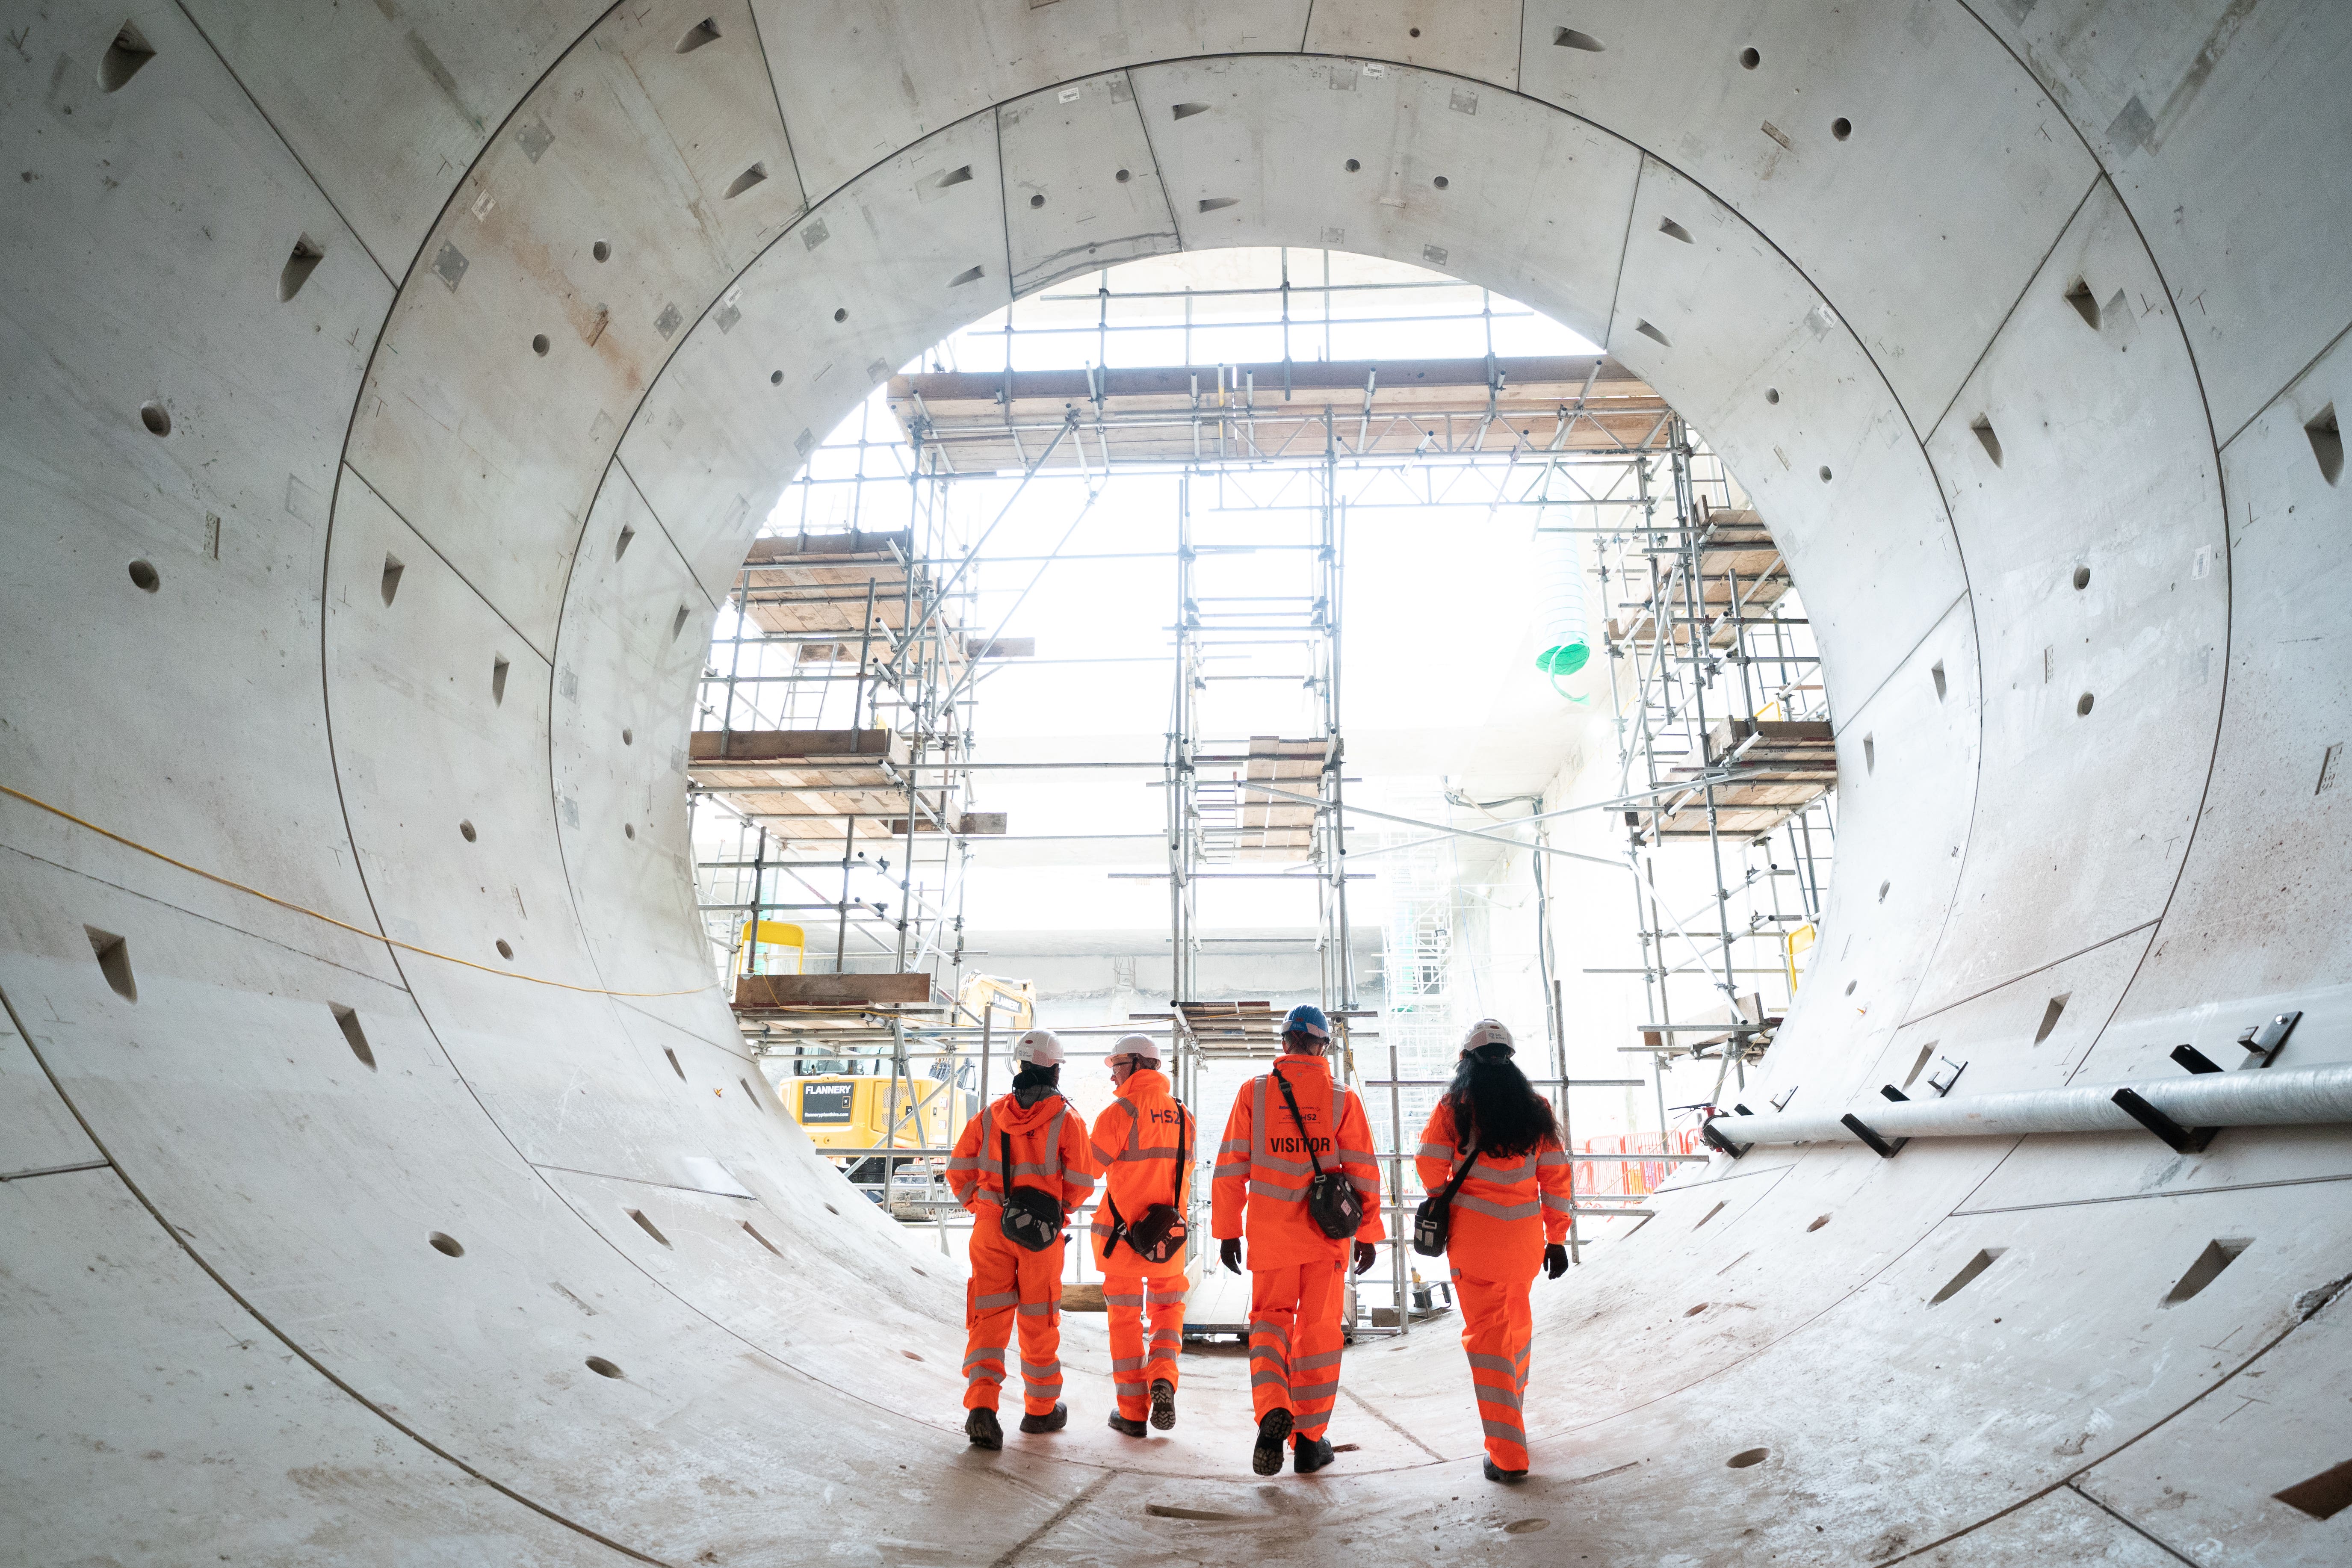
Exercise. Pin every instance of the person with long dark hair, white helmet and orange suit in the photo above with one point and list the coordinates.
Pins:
(1509, 1217)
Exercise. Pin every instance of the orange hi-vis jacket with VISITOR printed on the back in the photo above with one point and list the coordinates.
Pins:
(1264, 1170)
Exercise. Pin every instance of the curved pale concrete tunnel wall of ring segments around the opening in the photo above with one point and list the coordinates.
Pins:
(2118, 246)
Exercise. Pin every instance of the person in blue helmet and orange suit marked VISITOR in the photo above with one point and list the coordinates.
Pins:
(1267, 1172)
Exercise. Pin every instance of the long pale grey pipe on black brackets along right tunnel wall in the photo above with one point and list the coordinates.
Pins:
(2210, 1099)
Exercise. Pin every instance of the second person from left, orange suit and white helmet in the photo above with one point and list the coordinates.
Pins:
(1144, 1146)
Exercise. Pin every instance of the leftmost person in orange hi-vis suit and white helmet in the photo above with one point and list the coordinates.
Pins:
(1017, 1245)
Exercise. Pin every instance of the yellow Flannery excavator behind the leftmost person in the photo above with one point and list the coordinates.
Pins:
(848, 1104)
